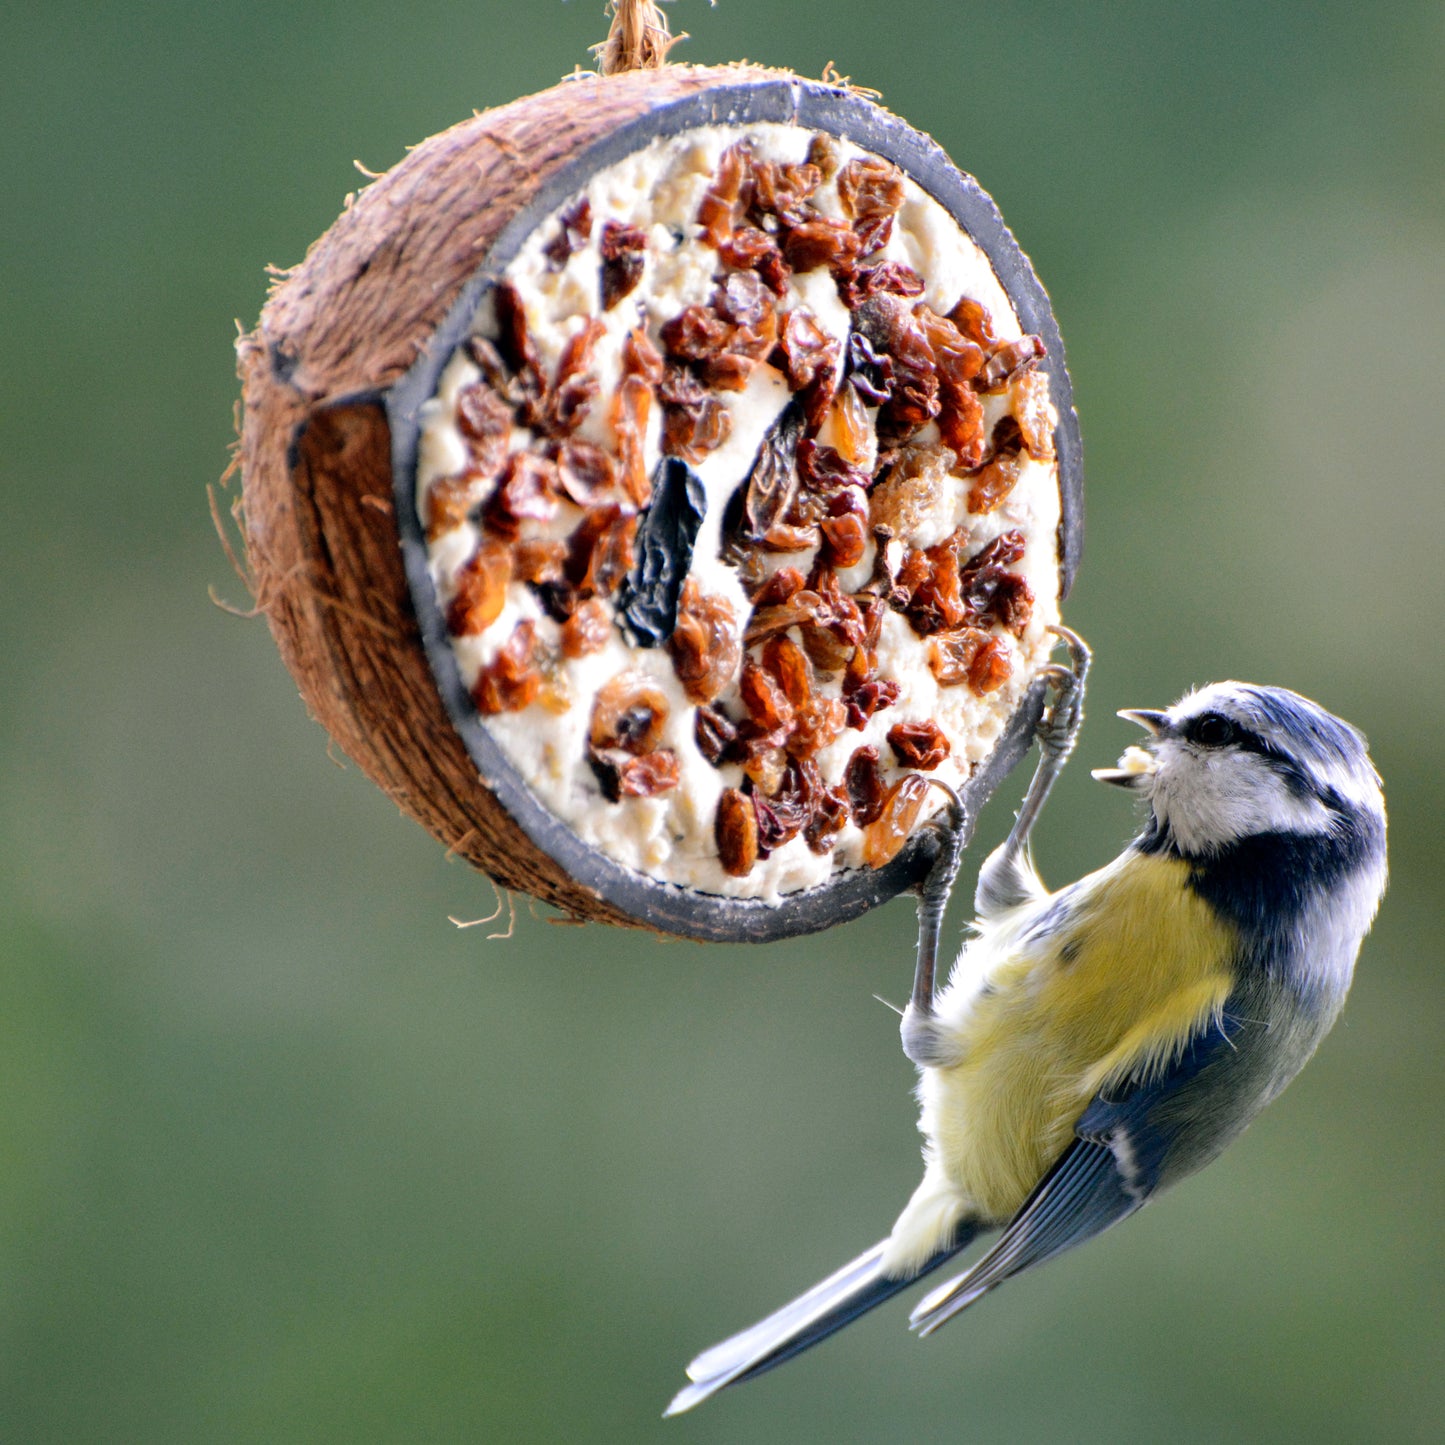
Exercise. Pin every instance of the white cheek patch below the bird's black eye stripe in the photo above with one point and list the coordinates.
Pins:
(1215, 800)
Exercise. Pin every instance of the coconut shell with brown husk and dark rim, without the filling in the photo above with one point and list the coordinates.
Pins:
(349, 349)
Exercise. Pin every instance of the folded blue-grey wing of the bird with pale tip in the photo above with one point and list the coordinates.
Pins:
(1113, 1167)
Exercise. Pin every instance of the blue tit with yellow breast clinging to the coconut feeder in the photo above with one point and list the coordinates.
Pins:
(1095, 1045)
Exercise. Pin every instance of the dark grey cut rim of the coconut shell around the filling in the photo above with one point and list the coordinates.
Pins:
(847, 116)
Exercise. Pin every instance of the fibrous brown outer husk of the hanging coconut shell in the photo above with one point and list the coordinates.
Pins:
(317, 453)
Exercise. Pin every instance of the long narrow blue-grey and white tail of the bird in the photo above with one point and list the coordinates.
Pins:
(803, 1323)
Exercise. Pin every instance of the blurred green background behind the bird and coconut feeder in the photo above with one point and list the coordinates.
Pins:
(285, 1157)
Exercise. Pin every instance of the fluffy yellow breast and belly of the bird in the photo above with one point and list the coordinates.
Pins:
(1044, 1018)
